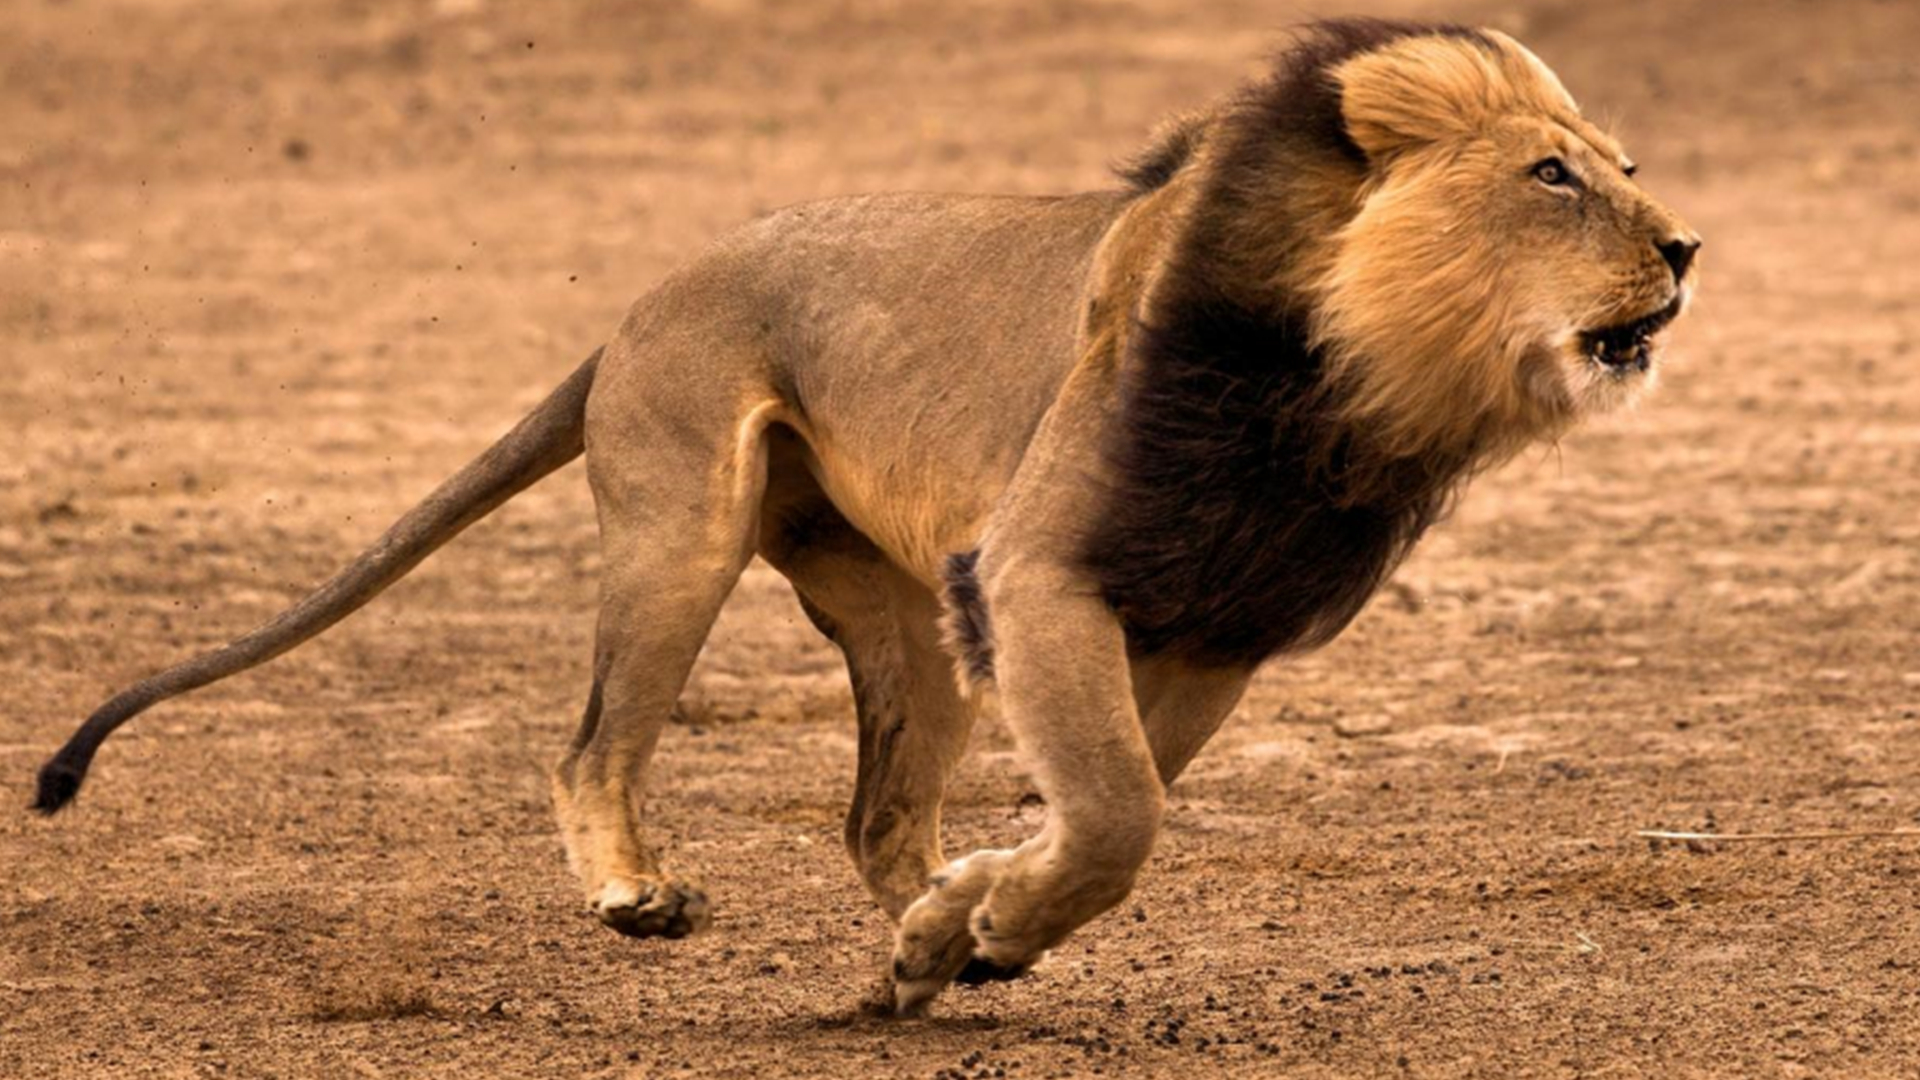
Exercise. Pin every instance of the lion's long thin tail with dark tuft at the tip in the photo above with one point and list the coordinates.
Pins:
(550, 437)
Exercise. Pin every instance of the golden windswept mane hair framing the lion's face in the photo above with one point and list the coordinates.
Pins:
(1418, 318)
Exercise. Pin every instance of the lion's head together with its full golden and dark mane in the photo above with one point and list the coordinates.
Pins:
(1366, 278)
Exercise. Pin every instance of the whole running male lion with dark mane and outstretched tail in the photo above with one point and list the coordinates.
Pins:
(1103, 454)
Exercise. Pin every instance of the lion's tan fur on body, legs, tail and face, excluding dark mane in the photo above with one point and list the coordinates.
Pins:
(861, 389)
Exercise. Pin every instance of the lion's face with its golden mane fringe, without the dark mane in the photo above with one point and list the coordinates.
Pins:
(1504, 272)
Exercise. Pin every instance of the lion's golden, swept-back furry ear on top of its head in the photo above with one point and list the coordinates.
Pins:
(1418, 91)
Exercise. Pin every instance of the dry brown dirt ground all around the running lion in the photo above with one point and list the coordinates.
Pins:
(270, 270)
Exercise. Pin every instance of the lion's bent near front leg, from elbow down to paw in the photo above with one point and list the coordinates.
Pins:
(1061, 664)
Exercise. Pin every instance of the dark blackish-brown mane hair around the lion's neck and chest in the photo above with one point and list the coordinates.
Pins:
(1245, 518)
